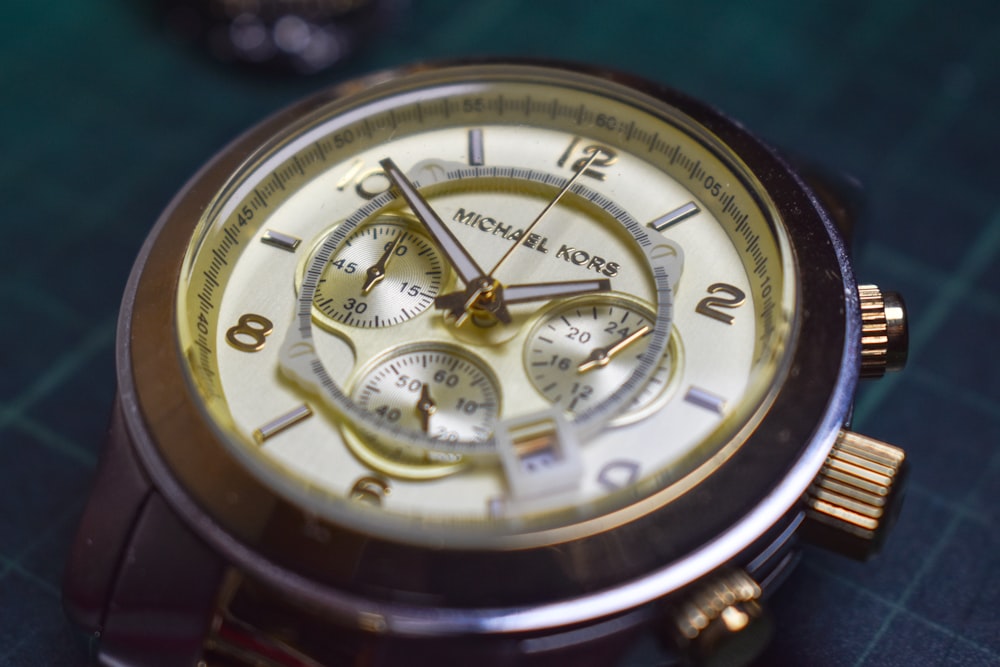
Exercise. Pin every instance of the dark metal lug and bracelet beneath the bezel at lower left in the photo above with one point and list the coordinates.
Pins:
(153, 594)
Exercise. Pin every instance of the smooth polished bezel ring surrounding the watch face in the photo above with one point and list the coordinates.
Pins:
(570, 580)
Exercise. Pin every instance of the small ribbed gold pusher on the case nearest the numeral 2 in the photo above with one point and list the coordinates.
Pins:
(884, 335)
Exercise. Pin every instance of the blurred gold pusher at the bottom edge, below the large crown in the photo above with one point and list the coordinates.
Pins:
(721, 621)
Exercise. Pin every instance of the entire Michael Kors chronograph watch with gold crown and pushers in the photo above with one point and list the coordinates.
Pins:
(495, 363)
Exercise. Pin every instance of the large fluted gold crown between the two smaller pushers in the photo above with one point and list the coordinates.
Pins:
(856, 496)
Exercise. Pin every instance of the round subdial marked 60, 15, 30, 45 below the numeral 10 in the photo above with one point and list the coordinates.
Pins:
(383, 274)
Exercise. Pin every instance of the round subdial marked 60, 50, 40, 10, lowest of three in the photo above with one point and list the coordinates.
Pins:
(434, 389)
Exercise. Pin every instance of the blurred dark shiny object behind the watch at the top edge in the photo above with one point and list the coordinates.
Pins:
(282, 36)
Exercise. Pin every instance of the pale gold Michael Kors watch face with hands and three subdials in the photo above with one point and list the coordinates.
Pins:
(486, 303)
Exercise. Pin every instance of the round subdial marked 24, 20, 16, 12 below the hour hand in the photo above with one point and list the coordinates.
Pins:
(584, 351)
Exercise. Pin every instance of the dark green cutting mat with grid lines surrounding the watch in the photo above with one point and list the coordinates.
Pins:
(104, 115)
